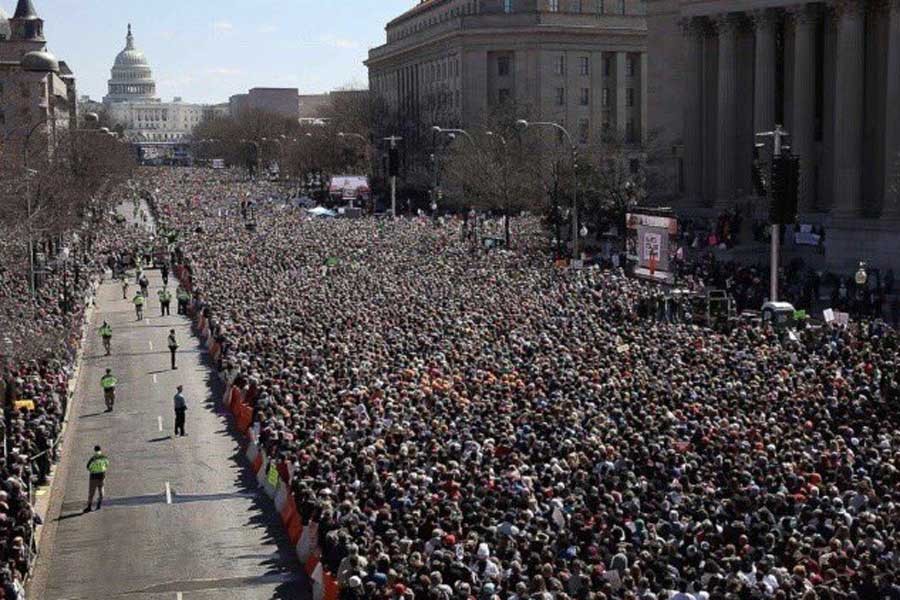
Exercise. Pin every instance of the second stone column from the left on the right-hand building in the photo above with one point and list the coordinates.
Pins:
(726, 26)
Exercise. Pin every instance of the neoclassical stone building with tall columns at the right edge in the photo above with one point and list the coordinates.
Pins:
(720, 70)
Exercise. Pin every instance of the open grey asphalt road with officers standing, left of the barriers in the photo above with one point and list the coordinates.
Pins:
(182, 518)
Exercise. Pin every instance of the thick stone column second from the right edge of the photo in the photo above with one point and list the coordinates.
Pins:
(848, 106)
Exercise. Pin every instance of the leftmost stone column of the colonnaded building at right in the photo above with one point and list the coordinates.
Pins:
(693, 30)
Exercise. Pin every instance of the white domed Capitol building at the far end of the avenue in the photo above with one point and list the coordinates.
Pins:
(132, 102)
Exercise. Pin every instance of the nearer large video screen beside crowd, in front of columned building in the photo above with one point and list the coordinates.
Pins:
(652, 245)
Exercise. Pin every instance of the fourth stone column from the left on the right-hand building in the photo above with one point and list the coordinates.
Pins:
(803, 119)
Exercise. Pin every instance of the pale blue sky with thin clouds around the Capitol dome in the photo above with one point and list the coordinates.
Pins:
(207, 50)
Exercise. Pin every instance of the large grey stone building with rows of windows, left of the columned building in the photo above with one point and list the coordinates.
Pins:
(581, 63)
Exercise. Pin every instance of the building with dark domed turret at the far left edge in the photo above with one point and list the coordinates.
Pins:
(36, 89)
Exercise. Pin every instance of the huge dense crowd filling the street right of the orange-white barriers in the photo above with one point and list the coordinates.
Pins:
(465, 424)
